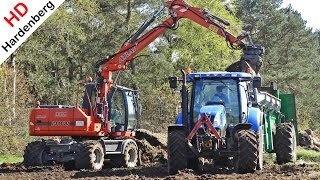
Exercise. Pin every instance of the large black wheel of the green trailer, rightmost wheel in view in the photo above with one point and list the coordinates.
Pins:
(285, 143)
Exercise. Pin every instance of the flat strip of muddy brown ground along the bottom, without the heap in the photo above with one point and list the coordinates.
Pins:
(158, 171)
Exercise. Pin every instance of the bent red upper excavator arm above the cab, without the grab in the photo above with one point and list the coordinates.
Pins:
(179, 9)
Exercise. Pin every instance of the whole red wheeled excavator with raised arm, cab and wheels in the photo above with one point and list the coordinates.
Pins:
(105, 126)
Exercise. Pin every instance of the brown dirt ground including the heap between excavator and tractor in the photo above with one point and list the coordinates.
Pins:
(155, 167)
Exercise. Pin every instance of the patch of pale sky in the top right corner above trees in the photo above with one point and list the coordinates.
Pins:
(309, 10)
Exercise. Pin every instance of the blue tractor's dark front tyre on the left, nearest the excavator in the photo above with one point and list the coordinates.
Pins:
(177, 151)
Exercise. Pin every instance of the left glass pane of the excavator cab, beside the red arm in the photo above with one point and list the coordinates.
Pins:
(118, 111)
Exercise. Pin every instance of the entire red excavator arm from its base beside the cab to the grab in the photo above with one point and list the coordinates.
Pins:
(178, 9)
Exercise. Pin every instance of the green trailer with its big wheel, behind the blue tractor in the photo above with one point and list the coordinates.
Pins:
(280, 122)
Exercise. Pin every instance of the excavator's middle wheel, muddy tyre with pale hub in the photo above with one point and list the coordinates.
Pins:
(89, 156)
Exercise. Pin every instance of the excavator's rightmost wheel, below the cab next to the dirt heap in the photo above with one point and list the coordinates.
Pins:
(128, 159)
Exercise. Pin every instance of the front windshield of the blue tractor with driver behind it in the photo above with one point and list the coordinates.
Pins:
(217, 91)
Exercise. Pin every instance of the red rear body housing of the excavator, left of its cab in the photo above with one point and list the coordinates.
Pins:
(63, 122)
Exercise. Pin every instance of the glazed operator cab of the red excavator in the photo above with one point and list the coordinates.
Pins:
(124, 109)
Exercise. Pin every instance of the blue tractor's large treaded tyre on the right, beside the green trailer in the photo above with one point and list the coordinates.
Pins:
(247, 145)
